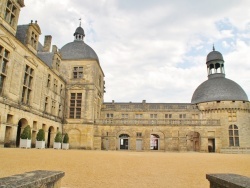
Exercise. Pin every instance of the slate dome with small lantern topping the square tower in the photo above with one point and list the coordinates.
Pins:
(78, 49)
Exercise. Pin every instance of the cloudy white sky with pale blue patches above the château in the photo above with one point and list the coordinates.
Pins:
(152, 50)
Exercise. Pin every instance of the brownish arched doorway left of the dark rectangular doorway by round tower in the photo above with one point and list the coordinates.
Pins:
(193, 141)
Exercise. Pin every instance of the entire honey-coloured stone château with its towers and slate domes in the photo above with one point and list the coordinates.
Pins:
(63, 89)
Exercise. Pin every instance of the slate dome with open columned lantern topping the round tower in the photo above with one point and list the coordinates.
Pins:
(217, 87)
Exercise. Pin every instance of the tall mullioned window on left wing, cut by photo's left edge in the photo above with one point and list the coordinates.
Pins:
(4, 60)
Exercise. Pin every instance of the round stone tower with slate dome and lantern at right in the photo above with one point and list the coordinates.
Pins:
(224, 100)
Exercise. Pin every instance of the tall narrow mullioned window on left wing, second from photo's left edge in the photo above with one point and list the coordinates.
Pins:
(27, 84)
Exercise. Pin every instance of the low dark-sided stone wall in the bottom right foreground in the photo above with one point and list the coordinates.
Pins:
(228, 181)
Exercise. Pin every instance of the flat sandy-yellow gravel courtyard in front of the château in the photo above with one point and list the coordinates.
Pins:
(124, 169)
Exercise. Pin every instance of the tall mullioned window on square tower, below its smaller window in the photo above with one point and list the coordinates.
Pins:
(75, 105)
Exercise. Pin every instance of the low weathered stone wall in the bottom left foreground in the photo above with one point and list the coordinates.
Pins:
(33, 179)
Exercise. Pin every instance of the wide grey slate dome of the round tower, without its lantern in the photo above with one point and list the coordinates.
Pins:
(218, 88)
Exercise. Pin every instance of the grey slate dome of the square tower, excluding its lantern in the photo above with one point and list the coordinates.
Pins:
(78, 50)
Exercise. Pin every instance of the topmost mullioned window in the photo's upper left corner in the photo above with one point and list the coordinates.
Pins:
(10, 13)
